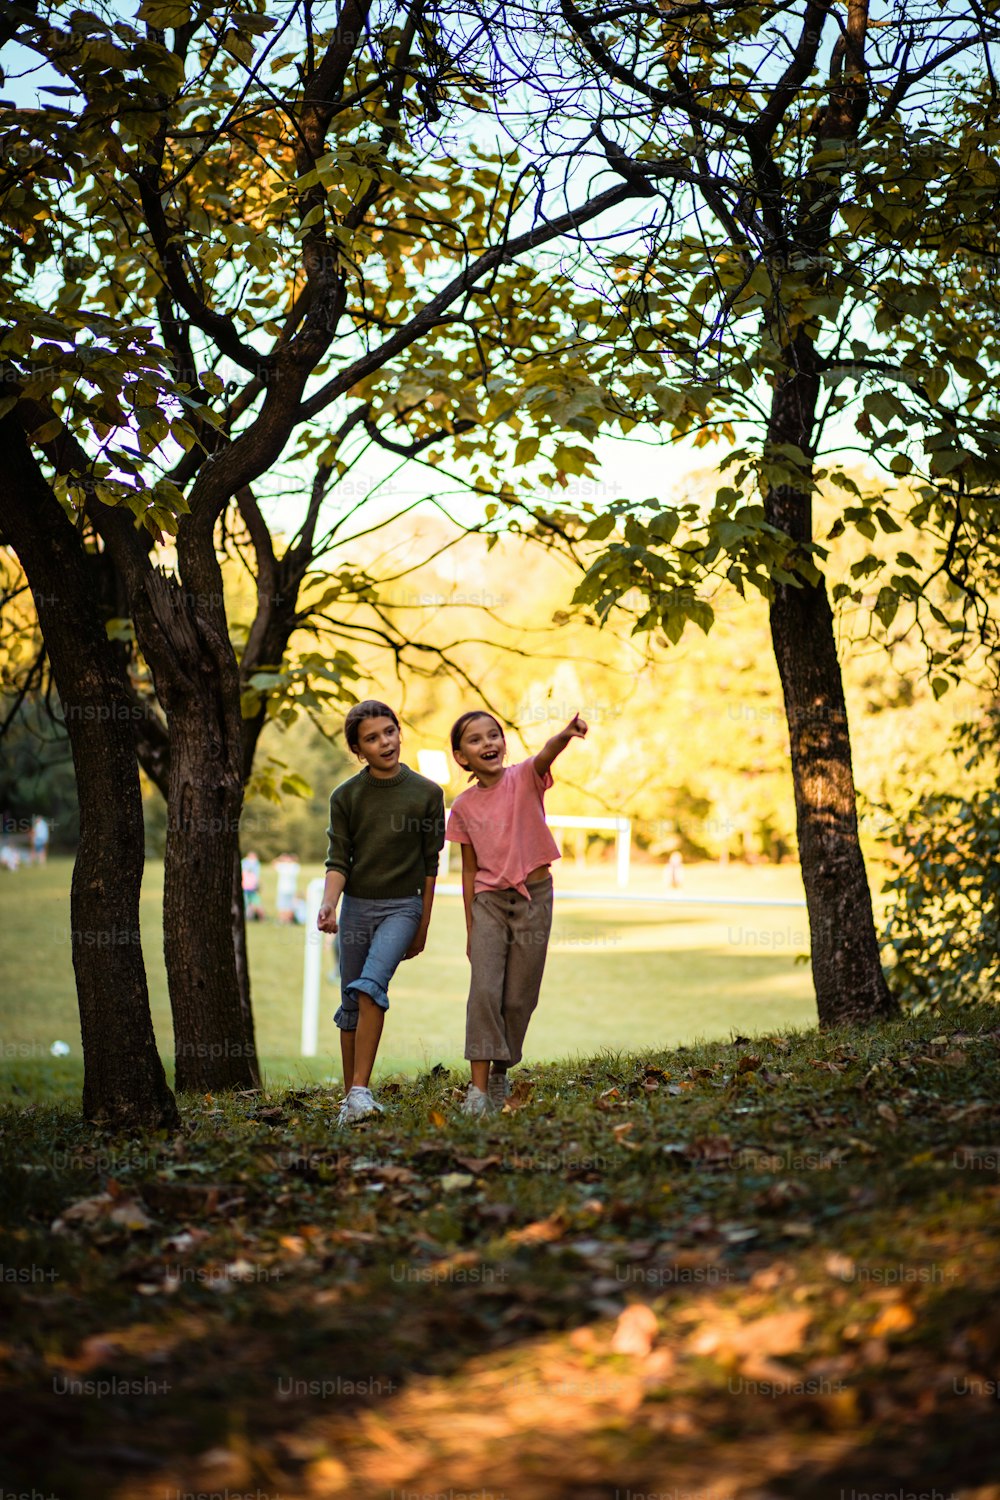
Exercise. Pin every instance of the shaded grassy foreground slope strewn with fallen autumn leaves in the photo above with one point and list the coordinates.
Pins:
(743, 1271)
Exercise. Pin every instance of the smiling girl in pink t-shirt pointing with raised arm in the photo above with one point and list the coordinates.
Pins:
(507, 886)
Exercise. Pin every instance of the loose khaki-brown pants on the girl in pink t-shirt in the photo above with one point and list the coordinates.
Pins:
(510, 937)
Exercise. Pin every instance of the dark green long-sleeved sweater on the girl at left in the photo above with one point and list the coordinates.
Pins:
(386, 835)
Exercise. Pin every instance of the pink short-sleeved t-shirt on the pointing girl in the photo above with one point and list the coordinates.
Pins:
(506, 824)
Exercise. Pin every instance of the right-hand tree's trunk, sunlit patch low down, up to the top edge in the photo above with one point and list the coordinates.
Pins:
(846, 967)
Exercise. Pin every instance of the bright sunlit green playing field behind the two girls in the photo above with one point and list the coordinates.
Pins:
(620, 977)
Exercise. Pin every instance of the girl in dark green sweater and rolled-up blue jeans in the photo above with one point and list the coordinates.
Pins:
(386, 836)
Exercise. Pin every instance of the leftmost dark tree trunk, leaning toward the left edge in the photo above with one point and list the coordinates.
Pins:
(125, 1085)
